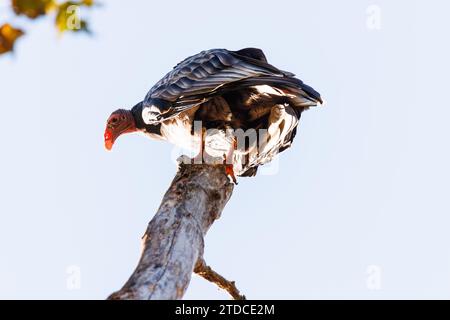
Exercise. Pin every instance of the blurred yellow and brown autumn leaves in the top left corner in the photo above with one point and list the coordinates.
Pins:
(67, 17)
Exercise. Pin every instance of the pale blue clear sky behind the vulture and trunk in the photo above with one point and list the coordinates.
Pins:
(357, 208)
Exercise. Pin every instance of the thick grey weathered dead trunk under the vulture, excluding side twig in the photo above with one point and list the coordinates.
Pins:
(173, 242)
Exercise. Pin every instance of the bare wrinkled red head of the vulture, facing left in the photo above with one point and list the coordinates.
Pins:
(119, 122)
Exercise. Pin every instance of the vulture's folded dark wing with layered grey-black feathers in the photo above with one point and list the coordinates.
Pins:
(199, 77)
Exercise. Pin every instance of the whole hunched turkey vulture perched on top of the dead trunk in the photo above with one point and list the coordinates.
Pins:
(228, 105)
